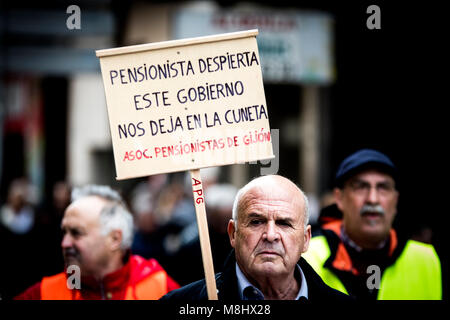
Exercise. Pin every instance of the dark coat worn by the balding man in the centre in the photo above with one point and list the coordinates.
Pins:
(227, 286)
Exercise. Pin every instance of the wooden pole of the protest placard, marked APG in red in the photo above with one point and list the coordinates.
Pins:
(200, 211)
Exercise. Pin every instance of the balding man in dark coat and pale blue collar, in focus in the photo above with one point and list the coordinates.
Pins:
(268, 232)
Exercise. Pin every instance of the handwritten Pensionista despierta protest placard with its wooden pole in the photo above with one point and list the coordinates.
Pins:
(187, 104)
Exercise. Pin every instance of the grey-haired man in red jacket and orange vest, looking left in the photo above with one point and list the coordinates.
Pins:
(97, 234)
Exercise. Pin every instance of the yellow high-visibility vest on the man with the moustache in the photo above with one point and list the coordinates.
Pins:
(415, 275)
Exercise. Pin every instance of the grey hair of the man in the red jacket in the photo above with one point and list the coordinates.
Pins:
(114, 216)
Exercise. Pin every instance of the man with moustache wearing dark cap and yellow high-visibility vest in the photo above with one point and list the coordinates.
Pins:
(358, 252)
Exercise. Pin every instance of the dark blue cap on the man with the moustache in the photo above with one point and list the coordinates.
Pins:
(361, 160)
